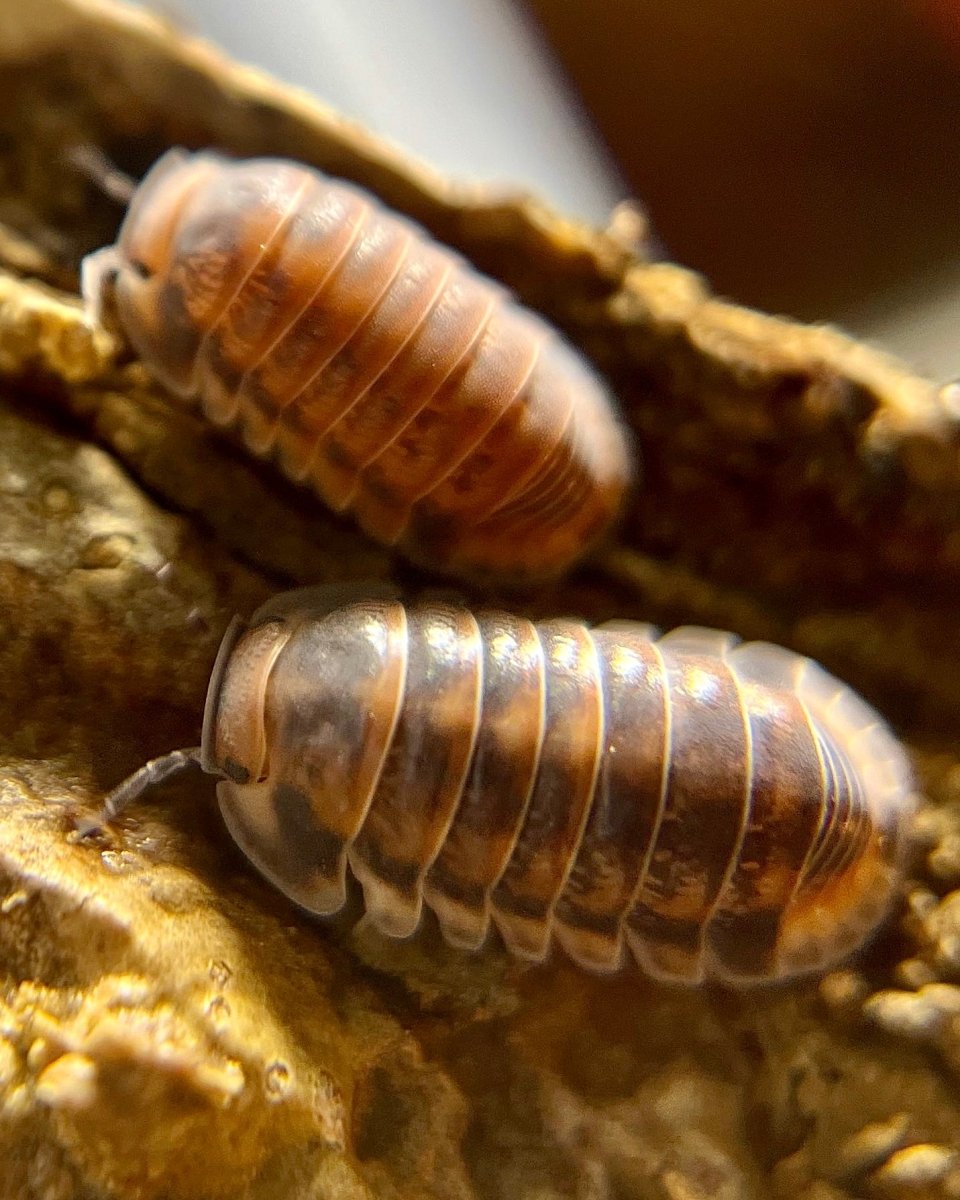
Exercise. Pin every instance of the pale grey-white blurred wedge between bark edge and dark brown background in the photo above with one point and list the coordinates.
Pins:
(467, 86)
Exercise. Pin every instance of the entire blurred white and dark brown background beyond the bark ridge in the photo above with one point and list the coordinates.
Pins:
(803, 155)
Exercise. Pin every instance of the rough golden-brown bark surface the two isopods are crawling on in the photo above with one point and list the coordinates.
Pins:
(170, 1028)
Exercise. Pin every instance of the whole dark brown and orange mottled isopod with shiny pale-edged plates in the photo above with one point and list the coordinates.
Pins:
(719, 809)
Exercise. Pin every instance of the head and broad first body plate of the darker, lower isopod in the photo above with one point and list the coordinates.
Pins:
(263, 712)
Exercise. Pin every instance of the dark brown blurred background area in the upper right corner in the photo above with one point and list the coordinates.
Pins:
(805, 155)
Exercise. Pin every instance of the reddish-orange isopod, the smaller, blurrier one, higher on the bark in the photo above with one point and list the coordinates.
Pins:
(373, 363)
